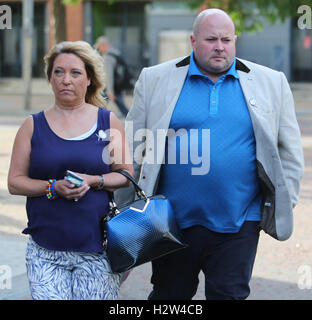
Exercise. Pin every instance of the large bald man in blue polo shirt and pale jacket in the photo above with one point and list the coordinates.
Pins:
(245, 114)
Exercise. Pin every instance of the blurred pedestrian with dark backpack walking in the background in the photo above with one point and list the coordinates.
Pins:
(115, 73)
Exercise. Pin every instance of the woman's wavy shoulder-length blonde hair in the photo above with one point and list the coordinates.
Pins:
(93, 63)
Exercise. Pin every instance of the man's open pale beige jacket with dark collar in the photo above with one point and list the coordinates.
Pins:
(278, 143)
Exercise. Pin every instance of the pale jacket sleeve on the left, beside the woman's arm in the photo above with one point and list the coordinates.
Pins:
(134, 122)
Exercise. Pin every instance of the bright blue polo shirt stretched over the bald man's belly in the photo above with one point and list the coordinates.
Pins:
(210, 172)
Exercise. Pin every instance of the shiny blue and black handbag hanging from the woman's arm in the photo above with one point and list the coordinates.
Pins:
(140, 231)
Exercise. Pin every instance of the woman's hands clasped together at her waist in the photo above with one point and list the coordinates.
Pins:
(69, 191)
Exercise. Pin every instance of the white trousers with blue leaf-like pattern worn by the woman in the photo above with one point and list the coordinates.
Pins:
(65, 275)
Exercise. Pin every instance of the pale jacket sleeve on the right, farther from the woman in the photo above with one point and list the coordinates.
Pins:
(289, 143)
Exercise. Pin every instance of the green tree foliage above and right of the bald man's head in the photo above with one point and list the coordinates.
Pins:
(248, 14)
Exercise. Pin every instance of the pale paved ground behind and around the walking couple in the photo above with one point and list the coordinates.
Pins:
(281, 268)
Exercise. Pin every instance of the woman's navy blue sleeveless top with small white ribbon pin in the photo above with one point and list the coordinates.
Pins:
(61, 224)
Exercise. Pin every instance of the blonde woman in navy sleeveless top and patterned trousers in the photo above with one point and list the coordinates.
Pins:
(65, 258)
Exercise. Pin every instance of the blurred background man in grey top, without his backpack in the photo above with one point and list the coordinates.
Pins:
(110, 56)
